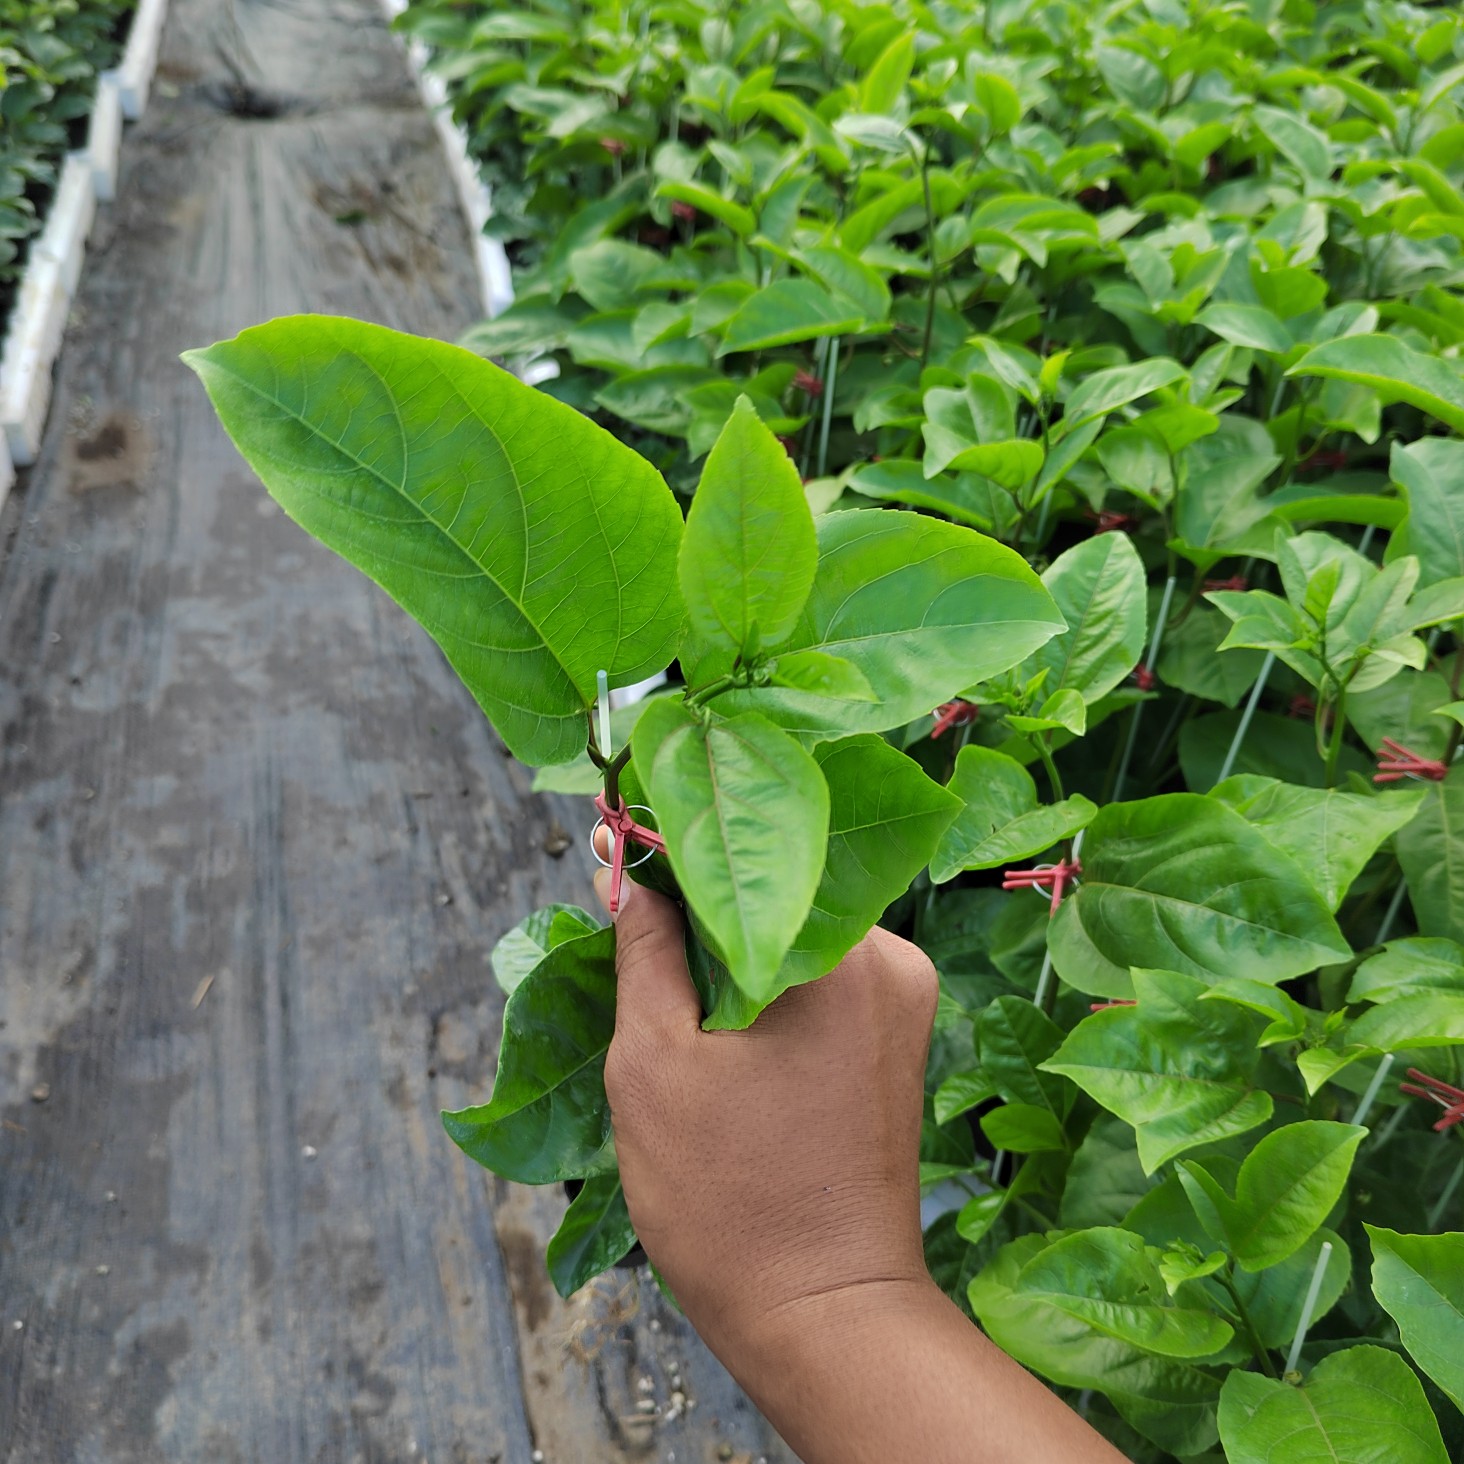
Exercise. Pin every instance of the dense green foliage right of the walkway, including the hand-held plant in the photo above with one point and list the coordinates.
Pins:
(1162, 301)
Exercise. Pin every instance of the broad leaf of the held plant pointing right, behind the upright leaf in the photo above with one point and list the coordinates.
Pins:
(922, 607)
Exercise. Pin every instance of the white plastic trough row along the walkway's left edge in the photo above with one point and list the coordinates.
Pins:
(53, 269)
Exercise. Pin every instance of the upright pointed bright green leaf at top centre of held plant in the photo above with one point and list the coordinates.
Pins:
(749, 551)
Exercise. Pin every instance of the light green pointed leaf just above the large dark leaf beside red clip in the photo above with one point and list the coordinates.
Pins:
(1330, 834)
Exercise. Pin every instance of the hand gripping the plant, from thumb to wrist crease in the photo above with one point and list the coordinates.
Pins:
(774, 1170)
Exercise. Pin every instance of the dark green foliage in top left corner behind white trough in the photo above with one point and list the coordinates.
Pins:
(51, 55)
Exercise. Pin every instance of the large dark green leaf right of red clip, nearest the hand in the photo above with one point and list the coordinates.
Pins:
(1182, 884)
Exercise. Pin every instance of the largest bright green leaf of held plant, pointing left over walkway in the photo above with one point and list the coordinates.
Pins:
(534, 547)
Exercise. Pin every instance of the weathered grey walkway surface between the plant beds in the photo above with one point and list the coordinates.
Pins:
(255, 843)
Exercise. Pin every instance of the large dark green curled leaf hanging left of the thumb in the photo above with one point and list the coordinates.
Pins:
(548, 1119)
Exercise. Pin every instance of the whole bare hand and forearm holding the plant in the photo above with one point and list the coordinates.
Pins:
(788, 1225)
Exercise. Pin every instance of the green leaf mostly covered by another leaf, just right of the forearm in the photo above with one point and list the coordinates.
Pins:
(1172, 1402)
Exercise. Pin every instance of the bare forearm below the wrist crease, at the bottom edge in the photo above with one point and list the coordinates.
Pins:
(895, 1371)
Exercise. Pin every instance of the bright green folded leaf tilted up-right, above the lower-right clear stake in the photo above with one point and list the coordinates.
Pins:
(1288, 1187)
